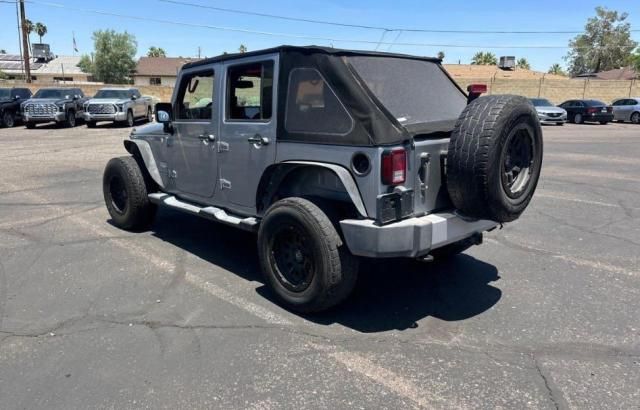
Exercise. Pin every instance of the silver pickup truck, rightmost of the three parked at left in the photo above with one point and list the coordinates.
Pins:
(119, 105)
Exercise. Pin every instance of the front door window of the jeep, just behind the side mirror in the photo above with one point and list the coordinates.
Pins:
(195, 96)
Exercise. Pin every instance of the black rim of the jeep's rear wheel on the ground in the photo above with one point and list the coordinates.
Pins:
(292, 258)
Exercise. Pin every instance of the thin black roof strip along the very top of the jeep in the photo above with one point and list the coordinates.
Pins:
(308, 50)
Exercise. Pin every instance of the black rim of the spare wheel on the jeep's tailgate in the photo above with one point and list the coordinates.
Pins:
(517, 160)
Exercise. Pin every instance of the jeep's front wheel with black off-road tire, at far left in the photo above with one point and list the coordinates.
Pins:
(135, 212)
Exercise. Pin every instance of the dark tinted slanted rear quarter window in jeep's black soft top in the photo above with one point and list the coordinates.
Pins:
(313, 107)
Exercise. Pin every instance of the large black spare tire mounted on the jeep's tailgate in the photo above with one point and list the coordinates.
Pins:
(494, 158)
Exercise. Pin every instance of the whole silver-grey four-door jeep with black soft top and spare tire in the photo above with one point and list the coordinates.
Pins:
(330, 155)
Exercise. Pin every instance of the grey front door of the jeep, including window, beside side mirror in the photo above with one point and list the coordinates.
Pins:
(191, 149)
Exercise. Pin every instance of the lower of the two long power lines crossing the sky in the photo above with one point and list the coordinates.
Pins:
(288, 35)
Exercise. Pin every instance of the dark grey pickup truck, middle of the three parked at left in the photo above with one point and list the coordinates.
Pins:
(63, 106)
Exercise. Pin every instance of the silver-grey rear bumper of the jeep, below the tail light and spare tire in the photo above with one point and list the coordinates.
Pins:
(411, 237)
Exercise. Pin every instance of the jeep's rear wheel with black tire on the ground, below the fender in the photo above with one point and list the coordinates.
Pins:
(334, 270)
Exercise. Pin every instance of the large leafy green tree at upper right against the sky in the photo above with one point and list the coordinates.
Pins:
(605, 44)
